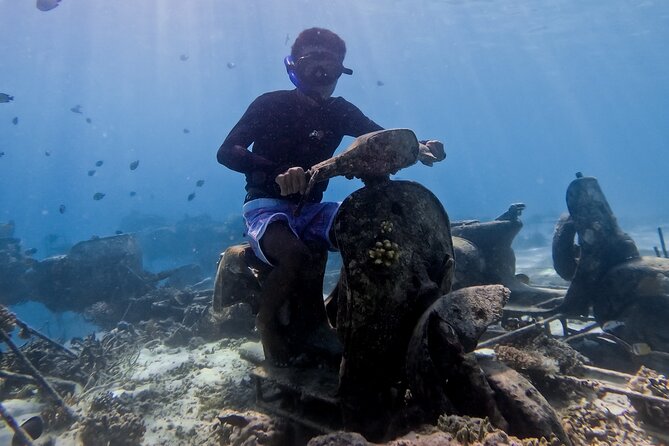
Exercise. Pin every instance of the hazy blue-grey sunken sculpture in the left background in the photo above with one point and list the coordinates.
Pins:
(101, 278)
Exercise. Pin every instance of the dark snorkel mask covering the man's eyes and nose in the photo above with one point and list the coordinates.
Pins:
(315, 69)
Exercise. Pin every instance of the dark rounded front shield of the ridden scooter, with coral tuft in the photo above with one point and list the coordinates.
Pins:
(397, 253)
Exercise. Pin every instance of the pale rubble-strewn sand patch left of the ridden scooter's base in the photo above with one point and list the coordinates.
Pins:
(167, 386)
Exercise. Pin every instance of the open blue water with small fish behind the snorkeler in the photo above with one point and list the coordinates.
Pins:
(523, 93)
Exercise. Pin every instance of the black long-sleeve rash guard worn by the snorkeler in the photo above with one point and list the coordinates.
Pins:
(288, 129)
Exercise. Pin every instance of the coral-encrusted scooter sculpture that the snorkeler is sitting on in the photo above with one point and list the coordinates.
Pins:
(404, 333)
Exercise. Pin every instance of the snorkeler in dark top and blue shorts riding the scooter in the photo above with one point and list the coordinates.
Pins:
(291, 130)
